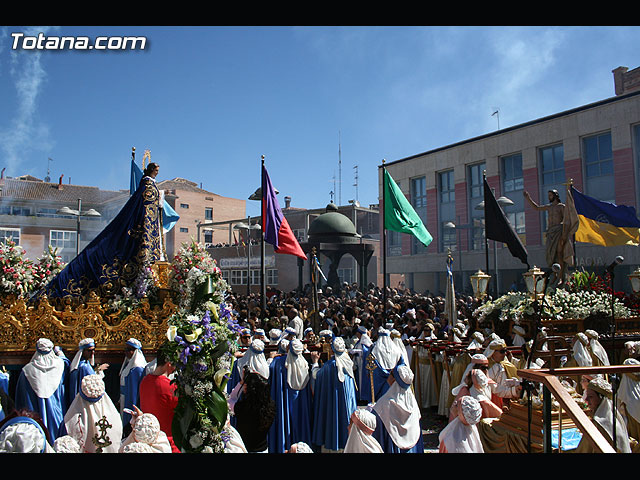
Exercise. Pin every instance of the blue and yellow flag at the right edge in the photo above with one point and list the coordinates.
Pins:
(605, 223)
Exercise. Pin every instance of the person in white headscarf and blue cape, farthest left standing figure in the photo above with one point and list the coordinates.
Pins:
(41, 388)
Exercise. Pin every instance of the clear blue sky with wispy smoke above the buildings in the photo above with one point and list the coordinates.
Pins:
(209, 101)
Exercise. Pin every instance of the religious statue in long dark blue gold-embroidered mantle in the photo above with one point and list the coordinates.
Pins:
(115, 258)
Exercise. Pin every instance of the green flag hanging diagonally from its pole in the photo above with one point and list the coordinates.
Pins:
(399, 215)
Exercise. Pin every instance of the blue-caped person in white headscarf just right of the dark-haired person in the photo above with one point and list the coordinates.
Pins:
(291, 391)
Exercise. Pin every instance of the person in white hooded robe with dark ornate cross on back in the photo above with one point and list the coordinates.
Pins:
(92, 417)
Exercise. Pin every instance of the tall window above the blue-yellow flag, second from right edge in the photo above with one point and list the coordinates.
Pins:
(598, 165)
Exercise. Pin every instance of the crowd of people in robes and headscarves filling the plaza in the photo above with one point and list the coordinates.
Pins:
(354, 375)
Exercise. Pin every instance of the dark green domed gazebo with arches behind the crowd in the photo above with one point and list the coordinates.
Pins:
(334, 235)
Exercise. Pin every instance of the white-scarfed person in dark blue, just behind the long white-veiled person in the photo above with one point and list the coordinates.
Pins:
(386, 356)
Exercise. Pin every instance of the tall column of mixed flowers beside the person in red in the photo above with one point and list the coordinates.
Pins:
(202, 341)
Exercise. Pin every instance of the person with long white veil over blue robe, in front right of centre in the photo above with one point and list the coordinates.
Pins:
(398, 428)
